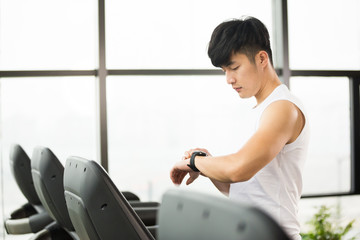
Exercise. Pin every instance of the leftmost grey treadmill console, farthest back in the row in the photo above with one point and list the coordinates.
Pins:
(30, 217)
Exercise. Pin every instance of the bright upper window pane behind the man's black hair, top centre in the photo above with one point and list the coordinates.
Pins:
(167, 34)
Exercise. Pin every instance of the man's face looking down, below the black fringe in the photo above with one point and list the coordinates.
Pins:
(243, 75)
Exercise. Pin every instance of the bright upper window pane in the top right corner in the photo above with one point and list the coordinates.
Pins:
(326, 41)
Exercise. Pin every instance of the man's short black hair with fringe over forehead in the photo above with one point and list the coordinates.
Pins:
(247, 36)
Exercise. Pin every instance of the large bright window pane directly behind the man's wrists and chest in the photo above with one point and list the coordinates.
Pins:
(154, 120)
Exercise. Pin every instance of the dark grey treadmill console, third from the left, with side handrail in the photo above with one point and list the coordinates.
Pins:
(98, 210)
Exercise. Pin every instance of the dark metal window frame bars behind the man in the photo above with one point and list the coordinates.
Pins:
(281, 38)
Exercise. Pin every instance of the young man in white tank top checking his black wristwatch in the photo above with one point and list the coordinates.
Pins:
(267, 170)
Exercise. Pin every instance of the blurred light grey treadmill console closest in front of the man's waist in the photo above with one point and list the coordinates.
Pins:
(193, 215)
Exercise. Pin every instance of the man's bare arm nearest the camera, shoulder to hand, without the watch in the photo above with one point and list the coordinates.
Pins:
(281, 123)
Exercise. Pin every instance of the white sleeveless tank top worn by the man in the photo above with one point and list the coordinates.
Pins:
(277, 187)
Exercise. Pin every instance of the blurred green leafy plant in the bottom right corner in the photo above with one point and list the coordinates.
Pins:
(324, 229)
